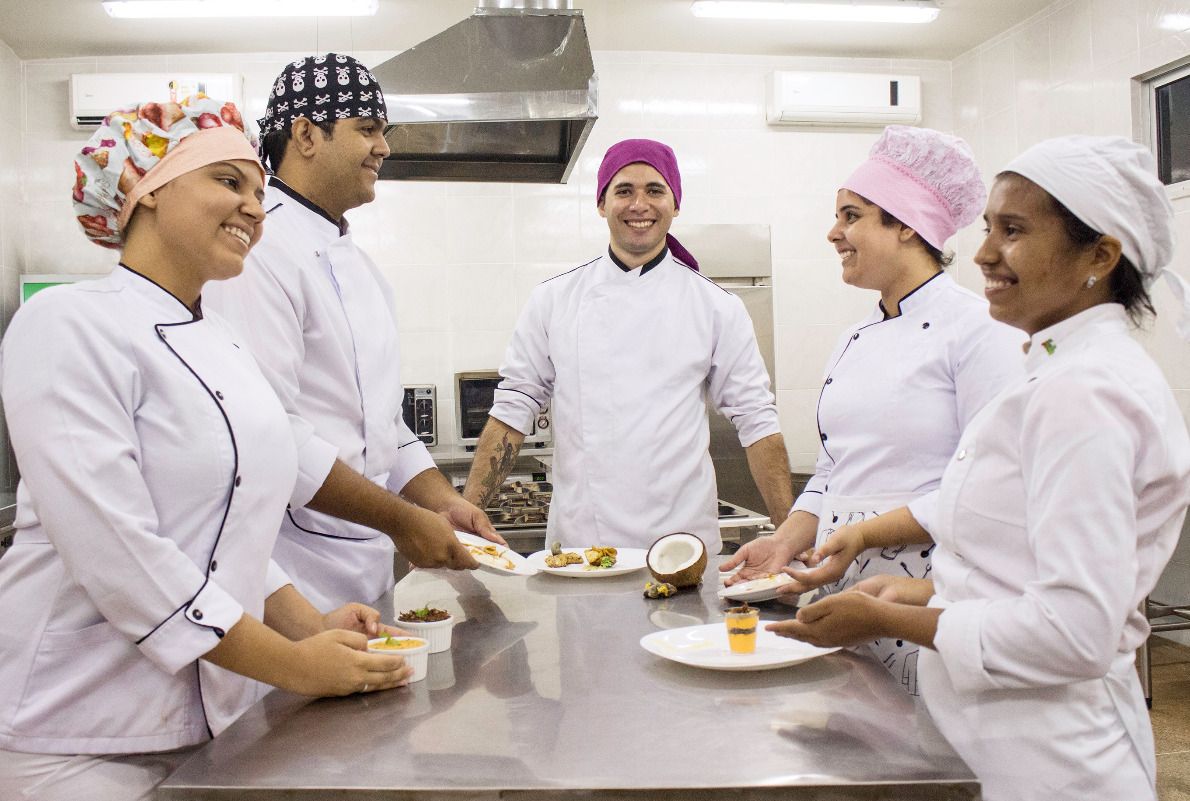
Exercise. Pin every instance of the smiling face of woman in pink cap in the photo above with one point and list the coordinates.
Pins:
(869, 249)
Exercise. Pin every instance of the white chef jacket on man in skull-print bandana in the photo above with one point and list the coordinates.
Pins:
(315, 309)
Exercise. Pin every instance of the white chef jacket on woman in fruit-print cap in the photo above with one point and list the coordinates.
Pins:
(156, 464)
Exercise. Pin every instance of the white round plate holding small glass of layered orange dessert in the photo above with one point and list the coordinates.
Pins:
(706, 647)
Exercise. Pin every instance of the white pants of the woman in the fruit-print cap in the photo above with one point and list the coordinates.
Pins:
(95, 778)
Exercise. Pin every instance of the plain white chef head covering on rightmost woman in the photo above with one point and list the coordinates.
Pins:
(1111, 184)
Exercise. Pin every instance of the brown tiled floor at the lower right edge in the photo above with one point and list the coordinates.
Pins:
(1172, 718)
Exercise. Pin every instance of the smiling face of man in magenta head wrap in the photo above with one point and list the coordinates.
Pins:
(640, 210)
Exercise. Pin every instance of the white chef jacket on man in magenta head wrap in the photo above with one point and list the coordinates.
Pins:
(630, 362)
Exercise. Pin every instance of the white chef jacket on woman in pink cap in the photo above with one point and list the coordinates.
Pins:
(899, 392)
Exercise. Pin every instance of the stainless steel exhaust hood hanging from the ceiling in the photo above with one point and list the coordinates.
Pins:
(509, 95)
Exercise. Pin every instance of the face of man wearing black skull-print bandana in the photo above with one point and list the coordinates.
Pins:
(348, 165)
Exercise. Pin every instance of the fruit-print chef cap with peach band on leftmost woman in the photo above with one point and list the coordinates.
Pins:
(140, 149)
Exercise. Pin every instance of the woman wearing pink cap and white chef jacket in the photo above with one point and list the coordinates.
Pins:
(901, 385)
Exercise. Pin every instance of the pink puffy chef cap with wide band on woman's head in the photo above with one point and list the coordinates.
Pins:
(925, 179)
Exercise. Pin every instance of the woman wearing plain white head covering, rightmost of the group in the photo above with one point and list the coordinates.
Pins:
(1063, 502)
